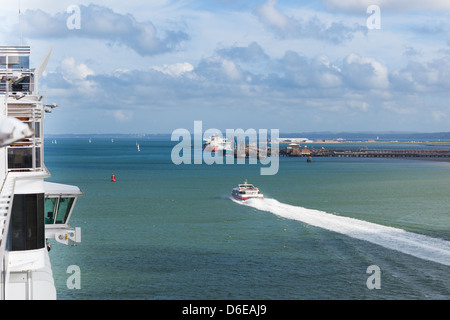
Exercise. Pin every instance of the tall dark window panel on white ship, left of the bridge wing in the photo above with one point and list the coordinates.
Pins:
(27, 222)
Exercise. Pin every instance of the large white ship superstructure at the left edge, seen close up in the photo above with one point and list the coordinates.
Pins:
(33, 212)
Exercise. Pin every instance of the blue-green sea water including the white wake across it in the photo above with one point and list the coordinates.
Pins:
(163, 231)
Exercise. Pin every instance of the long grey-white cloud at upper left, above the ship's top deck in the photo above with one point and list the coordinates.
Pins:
(98, 22)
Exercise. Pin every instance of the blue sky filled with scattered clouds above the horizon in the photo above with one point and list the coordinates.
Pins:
(294, 65)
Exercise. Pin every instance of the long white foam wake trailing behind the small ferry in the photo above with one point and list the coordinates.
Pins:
(414, 244)
